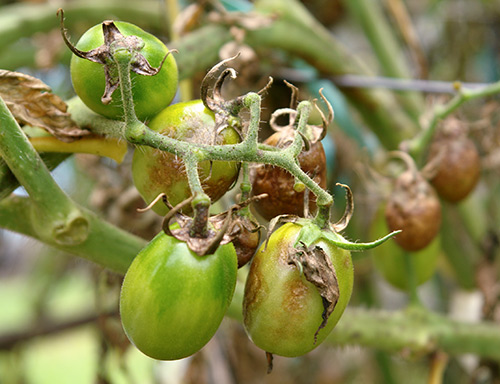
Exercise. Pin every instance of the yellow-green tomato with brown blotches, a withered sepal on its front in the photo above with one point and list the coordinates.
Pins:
(281, 309)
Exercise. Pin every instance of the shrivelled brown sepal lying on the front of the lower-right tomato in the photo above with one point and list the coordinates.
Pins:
(318, 269)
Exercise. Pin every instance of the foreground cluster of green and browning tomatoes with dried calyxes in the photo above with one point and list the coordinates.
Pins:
(178, 288)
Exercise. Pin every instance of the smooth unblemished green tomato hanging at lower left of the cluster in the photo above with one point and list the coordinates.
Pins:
(172, 300)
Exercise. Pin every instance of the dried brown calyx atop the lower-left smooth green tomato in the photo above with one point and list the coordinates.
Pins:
(218, 229)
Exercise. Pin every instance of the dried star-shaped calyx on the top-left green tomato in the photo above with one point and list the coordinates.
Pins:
(114, 41)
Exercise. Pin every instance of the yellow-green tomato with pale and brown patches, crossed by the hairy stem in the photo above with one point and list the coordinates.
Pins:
(156, 171)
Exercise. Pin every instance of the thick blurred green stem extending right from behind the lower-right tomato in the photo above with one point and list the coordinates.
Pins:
(413, 331)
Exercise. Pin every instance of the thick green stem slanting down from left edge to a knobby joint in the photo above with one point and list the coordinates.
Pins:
(58, 218)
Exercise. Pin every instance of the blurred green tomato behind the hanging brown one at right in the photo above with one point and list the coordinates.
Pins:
(389, 257)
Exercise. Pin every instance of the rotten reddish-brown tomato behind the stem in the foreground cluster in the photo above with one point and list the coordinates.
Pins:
(278, 183)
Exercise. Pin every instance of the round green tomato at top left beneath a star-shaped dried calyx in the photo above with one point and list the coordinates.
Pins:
(151, 93)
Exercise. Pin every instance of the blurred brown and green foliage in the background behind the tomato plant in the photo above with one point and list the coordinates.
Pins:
(58, 320)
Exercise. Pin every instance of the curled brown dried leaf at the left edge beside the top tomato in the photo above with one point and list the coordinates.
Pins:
(31, 102)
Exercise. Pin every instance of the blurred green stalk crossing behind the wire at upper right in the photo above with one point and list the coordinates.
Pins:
(377, 30)
